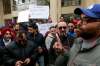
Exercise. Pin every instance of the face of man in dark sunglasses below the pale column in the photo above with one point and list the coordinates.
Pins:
(62, 28)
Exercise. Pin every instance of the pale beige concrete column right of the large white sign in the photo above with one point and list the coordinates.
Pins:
(54, 10)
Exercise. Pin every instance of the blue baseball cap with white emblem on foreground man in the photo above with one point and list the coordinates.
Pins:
(92, 11)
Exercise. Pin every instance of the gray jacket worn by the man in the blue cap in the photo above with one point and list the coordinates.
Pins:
(87, 58)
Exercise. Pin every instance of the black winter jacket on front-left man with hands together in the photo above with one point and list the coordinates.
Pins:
(15, 52)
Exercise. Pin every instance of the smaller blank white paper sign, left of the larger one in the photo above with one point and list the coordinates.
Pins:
(23, 16)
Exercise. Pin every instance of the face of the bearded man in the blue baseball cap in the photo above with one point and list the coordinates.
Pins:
(89, 28)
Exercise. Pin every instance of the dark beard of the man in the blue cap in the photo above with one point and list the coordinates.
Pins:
(88, 35)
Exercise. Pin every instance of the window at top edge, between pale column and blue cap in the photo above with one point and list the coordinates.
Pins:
(70, 2)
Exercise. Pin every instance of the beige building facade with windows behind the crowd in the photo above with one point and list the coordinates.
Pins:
(9, 8)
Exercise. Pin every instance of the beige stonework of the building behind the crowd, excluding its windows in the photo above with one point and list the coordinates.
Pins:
(55, 9)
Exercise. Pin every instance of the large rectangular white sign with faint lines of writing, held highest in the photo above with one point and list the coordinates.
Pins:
(39, 12)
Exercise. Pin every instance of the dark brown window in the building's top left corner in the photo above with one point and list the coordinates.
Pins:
(6, 6)
